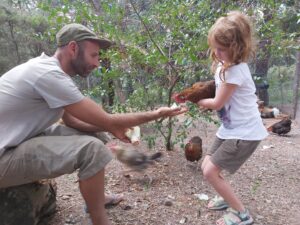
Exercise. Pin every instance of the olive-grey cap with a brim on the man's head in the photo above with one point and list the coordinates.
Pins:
(78, 32)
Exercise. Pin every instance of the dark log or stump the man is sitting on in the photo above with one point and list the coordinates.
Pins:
(27, 204)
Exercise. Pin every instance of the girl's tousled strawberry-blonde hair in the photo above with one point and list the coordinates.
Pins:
(235, 33)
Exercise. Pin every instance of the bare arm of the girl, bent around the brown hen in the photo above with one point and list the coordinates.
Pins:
(223, 94)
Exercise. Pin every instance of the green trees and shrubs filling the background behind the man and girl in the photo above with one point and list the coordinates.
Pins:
(160, 47)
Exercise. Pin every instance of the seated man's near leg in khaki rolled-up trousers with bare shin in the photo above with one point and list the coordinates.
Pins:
(51, 156)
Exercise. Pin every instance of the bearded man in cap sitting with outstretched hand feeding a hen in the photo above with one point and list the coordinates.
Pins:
(34, 95)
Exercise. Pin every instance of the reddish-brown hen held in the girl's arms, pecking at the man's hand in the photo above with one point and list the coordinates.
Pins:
(199, 90)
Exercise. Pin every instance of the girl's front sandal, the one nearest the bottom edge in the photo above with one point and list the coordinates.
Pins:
(234, 217)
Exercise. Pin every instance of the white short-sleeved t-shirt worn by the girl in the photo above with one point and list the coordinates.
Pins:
(240, 116)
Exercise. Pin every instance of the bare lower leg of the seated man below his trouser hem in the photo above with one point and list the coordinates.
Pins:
(92, 190)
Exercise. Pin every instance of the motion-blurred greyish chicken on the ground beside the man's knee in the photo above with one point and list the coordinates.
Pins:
(132, 158)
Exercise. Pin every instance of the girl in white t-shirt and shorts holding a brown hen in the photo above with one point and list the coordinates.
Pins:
(231, 43)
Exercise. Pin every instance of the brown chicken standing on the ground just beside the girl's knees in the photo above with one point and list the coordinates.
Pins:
(193, 149)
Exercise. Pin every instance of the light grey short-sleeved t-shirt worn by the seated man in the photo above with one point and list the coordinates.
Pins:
(32, 97)
